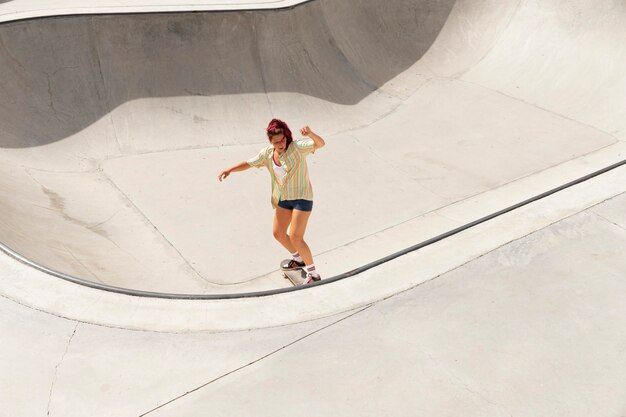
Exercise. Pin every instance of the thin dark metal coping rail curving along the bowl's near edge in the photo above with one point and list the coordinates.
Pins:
(356, 271)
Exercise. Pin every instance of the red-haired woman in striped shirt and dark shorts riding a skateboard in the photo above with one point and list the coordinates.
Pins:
(292, 194)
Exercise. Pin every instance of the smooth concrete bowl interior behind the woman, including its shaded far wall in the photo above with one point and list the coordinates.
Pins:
(113, 128)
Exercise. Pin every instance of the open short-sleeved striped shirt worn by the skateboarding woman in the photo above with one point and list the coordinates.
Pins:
(296, 185)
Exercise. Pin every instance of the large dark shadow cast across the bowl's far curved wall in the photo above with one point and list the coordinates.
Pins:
(59, 75)
